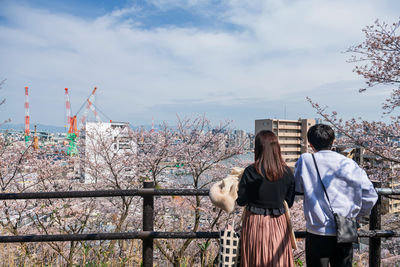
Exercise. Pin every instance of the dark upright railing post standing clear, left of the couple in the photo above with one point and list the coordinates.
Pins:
(148, 223)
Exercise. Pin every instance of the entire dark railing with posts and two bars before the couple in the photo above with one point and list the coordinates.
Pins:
(148, 192)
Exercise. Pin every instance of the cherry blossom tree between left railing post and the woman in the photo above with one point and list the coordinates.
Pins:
(203, 155)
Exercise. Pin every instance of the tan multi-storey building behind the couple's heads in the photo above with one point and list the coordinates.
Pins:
(292, 135)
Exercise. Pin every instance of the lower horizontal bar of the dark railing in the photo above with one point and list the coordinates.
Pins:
(154, 235)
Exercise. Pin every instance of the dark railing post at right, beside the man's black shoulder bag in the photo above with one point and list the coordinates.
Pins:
(375, 224)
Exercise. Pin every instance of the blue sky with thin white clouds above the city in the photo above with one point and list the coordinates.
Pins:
(231, 60)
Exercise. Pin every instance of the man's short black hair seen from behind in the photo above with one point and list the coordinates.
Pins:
(321, 136)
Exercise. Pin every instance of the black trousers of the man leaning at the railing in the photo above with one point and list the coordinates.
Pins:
(322, 250)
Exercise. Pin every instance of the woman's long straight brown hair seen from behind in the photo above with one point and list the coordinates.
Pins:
(267, 154)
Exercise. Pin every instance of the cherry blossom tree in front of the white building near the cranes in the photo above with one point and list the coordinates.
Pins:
(108, 161)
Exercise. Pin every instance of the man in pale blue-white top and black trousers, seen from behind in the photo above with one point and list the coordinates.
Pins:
(350, 192)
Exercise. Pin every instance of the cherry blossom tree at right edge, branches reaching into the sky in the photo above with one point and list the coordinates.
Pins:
(377, 60)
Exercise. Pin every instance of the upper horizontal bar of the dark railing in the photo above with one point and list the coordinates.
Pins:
(132, 192)
